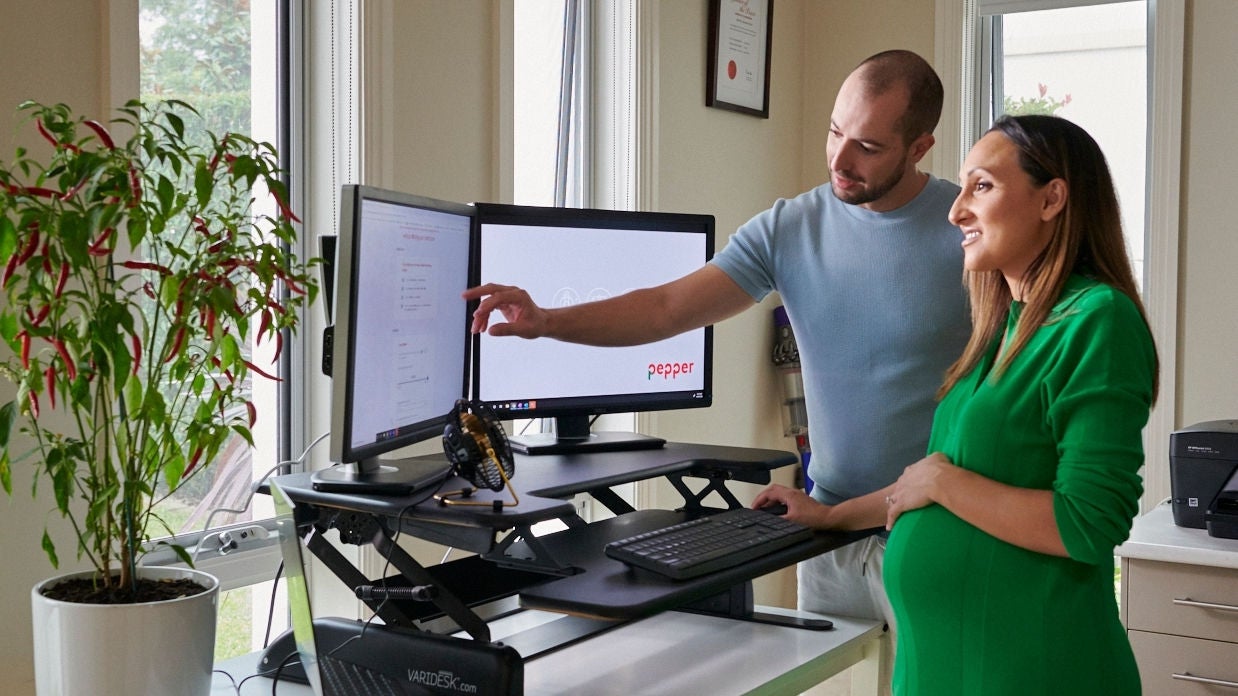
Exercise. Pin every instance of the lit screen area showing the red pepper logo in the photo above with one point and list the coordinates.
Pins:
(569, 266)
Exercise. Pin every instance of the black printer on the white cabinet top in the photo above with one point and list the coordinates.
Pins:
(1204, 477)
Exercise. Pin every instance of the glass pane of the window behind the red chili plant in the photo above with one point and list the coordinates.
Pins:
(221, 56)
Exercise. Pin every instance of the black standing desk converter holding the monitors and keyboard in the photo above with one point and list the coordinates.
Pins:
(565, 572)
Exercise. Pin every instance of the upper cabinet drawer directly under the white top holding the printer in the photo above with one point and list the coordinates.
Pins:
(1184, 600)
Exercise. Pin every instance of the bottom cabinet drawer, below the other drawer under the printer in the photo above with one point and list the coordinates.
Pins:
(1173, 666)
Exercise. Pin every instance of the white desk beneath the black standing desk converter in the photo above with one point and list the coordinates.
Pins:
(672, 653)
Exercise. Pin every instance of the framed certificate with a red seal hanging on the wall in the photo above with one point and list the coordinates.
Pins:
(738, 67)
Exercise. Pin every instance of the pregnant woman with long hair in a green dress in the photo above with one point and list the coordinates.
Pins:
(1000, 564)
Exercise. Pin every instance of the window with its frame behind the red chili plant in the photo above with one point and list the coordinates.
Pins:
(227, 59)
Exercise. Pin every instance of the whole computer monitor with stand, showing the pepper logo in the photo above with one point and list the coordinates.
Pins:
(569, 256)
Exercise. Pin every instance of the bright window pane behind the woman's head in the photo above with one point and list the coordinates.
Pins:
(1089, 65)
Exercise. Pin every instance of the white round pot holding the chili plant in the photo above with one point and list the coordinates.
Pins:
(127, 650)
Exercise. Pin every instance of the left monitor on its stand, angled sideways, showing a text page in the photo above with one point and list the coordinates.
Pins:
(402, 339)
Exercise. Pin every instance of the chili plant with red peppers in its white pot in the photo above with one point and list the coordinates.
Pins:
(137, 267)
